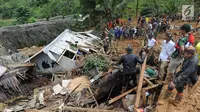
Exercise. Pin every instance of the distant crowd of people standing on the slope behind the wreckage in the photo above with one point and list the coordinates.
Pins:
(146, 27)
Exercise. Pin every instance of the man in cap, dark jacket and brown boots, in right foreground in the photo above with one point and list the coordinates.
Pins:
(187, 75)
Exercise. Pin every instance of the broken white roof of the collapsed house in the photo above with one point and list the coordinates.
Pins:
(65, 41)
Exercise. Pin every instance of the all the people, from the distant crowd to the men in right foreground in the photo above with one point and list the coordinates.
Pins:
(173, 54)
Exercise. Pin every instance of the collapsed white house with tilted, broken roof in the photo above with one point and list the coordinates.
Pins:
(61, 54)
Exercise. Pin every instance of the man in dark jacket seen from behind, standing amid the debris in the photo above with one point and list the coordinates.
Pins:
(129, 62)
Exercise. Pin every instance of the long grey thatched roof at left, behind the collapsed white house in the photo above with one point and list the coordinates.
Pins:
(40, 33)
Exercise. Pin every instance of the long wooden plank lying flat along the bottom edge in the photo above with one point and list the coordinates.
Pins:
(78, 109)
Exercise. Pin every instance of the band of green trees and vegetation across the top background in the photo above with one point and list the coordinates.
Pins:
(101, 11)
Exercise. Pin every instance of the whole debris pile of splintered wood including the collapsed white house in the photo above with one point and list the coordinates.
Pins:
(72, 75)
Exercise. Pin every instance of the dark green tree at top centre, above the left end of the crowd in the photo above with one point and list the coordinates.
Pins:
(103, 10)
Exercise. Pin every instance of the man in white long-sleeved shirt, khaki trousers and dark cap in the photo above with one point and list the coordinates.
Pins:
(165, 54)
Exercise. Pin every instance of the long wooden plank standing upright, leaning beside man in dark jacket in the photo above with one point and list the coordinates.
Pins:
(137, 101)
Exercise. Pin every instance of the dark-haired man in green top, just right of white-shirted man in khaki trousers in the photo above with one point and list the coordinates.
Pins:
(180, 46)
